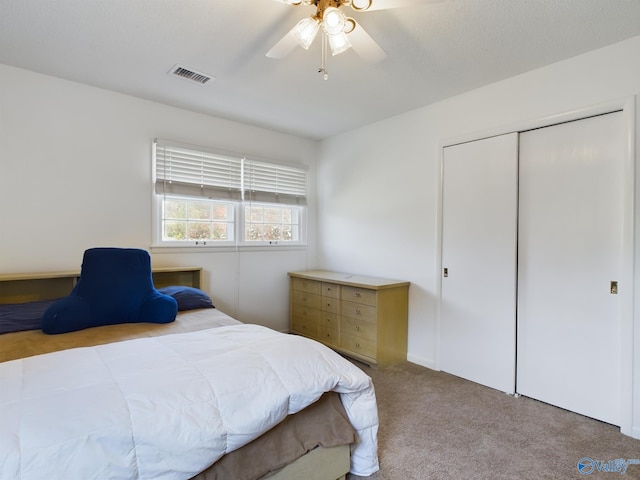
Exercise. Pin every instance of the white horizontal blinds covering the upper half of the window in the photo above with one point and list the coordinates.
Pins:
(181, 170)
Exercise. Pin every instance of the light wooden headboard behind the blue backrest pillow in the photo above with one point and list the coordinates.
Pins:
(31, 287)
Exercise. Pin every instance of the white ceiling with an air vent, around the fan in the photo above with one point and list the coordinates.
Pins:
(435, 50)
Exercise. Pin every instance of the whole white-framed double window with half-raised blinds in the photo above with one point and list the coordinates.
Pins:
(209, 198)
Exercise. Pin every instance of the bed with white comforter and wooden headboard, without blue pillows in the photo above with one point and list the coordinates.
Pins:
(53, 382)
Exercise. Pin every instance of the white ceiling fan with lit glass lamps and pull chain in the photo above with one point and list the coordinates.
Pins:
(339, 32)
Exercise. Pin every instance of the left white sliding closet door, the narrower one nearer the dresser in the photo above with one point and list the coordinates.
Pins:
(477, 316)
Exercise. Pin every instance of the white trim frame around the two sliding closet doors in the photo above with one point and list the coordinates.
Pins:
(629, 285)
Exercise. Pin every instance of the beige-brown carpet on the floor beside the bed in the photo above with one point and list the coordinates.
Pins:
(437, 426)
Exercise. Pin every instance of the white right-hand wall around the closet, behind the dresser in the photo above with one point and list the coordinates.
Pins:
(378, 185)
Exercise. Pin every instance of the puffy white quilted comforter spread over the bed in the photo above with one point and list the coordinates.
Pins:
(168, 407)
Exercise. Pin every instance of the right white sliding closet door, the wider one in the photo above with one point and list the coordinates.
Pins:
(570, 239)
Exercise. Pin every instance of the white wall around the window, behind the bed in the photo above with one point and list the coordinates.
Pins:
(75, 173)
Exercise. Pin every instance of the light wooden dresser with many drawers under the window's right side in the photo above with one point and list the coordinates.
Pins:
(362, 317)
